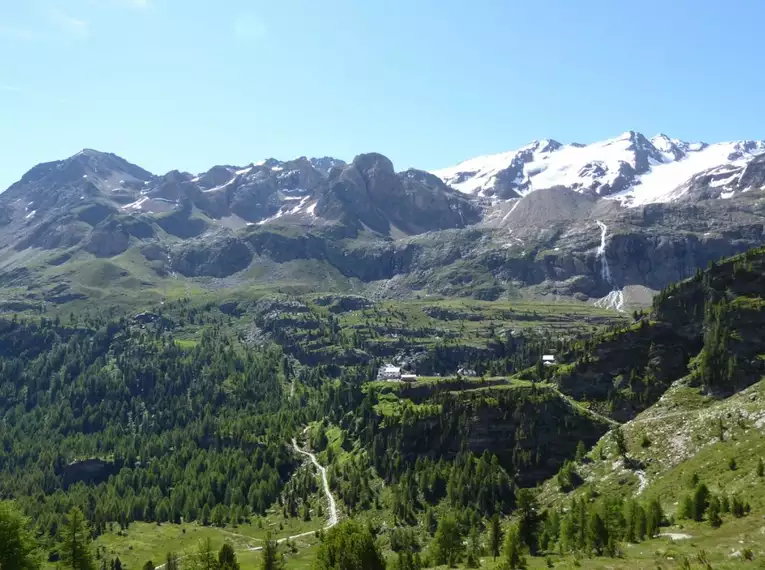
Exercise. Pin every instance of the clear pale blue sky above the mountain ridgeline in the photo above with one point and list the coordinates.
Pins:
(191, 83)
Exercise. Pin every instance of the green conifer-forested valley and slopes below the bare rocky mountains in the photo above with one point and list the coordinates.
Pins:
(190, 420)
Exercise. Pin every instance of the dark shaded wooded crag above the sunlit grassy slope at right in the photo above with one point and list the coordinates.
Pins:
(647, 357)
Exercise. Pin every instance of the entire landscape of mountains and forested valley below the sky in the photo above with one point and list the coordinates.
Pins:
(190, 364)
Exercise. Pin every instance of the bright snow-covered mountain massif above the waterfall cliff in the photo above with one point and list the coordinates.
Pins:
(629, 168)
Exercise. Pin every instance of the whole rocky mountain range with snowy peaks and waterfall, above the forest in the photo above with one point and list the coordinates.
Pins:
(609, 222)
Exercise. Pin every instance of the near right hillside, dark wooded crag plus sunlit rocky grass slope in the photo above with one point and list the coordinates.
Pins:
(687, 386)
